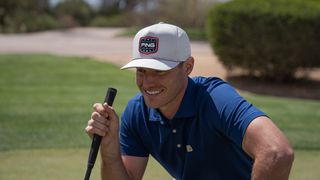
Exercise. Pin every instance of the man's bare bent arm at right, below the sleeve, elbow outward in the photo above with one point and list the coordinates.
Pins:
(270, 149)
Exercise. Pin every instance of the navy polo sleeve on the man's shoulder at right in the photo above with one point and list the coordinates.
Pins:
(235, 113)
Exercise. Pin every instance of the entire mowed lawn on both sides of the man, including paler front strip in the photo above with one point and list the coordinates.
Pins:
(45, 102)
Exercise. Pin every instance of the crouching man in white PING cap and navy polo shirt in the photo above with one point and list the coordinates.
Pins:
(196, 128)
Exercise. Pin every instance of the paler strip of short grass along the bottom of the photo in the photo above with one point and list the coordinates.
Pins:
(70, 164)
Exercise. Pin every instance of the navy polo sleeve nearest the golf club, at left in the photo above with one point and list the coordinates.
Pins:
(130, 140)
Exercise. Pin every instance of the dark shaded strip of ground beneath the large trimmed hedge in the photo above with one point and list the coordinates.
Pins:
(301, 88)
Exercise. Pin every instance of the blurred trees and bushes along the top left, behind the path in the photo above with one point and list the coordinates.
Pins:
(36, 15)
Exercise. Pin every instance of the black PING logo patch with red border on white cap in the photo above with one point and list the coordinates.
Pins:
(148, 45)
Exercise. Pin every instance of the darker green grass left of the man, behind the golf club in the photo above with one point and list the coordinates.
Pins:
(47, 100)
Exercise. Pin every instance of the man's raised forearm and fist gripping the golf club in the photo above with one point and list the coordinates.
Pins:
(104, 122)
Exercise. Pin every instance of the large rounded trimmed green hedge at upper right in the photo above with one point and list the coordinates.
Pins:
(268, 38)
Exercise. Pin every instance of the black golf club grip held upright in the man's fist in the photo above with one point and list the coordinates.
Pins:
(109, 98)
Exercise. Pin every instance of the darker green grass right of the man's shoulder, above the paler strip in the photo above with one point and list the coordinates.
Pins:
(299, 119)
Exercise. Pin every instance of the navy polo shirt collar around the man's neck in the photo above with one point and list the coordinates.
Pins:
(187, 107)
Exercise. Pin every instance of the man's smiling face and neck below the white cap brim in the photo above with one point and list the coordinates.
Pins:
(164, 90)
